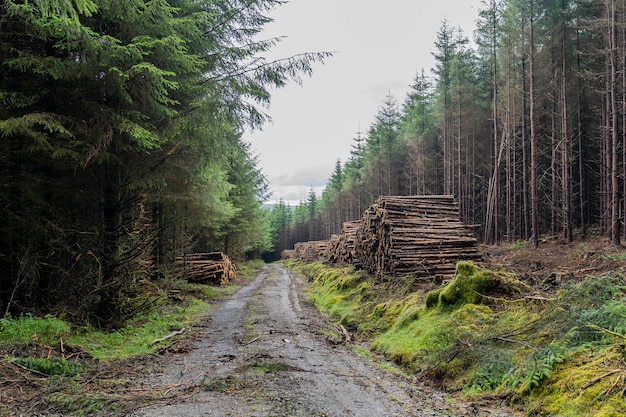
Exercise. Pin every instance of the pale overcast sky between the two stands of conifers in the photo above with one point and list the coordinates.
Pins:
(378, 47)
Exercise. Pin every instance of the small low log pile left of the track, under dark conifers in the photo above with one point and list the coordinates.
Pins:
(207, 268)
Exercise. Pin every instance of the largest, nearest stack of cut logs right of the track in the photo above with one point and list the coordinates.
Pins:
(419, 235)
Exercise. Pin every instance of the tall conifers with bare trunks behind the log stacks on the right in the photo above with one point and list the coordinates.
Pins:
(525, 126)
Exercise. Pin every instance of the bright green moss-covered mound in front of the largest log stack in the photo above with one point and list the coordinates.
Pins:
(474, 285)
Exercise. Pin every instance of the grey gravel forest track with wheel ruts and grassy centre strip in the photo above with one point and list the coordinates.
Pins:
(265, 351)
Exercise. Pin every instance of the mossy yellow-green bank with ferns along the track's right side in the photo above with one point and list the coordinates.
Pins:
(484, 333)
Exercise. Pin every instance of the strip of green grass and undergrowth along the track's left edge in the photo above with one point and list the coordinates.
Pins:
(43, 346)
